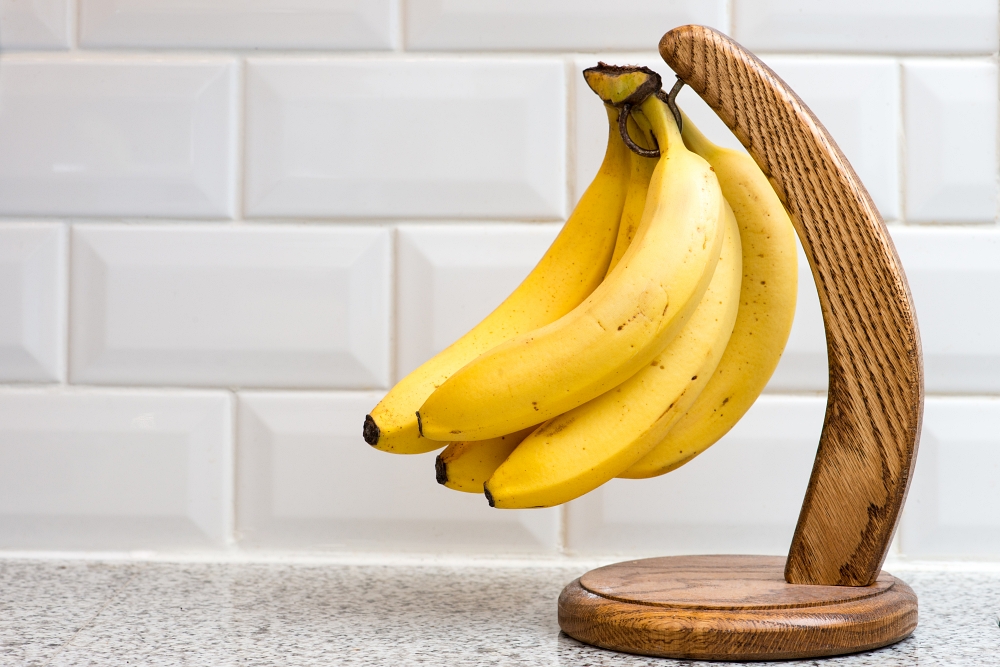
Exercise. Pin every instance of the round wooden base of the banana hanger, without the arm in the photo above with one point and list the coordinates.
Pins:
(731, 608)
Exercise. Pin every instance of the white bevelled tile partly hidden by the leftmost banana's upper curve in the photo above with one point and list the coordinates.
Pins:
(449, 277)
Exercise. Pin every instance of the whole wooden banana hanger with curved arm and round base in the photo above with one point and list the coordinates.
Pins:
(829, 596)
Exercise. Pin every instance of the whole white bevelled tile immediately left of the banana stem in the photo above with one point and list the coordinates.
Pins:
(406, 137)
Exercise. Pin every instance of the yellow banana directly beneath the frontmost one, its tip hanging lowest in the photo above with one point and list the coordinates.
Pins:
(578, 451)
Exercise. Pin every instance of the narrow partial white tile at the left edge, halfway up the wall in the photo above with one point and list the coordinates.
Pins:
(32, 302)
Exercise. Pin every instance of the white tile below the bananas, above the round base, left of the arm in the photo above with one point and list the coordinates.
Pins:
(742, 495)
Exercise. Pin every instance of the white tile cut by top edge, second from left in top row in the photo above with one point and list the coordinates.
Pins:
(264, 24)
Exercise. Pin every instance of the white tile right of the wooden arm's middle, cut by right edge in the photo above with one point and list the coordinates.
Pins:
(954, 276)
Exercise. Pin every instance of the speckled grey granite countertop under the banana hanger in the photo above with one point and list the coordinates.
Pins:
(290, 613)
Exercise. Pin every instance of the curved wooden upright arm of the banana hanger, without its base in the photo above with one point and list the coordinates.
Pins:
(869, 442)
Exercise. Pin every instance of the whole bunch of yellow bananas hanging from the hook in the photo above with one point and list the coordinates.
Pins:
(644, 334)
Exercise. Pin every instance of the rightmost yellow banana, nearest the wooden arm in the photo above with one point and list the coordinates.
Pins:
(767, 307)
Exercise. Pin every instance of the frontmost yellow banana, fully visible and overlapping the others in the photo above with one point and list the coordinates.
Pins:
(617, 330)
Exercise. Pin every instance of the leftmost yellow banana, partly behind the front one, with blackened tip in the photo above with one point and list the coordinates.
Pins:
(571, 269)
